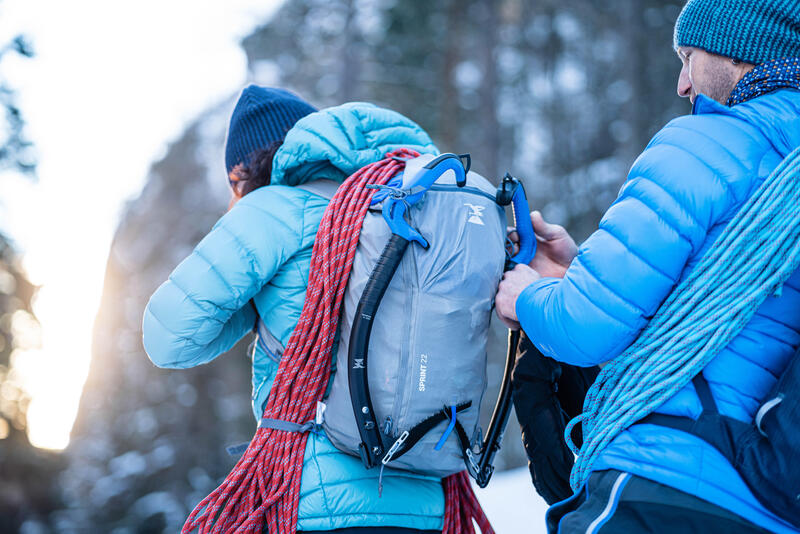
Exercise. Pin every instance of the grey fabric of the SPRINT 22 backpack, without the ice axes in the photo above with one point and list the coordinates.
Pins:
(427, 349)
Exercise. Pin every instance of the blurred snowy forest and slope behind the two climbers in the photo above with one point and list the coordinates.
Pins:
(561, 93)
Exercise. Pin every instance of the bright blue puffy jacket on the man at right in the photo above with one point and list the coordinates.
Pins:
(680, 194)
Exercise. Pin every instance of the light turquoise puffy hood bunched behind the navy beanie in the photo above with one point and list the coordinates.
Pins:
(336, 142)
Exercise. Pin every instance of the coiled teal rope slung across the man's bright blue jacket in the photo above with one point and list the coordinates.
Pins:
(756, 253)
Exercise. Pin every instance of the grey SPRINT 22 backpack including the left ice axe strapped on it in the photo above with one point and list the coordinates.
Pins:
(410, 369)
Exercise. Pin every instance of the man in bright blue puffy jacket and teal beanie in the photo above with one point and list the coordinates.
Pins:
(586, 305)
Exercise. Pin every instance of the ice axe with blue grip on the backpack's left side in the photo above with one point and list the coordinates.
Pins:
(371, 449)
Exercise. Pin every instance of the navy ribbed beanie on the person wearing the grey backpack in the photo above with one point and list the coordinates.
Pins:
(262, 116)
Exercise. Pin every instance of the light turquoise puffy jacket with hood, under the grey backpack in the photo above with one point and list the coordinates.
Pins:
(261, 250)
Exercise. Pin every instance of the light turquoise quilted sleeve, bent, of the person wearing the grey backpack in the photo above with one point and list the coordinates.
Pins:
(203, 309)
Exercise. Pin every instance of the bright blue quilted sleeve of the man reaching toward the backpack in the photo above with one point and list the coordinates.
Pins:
(625, 270)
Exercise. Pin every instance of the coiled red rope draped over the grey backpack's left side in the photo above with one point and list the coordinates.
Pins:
(263, 489)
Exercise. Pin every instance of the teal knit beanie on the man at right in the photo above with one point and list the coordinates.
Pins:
(754, 31)
